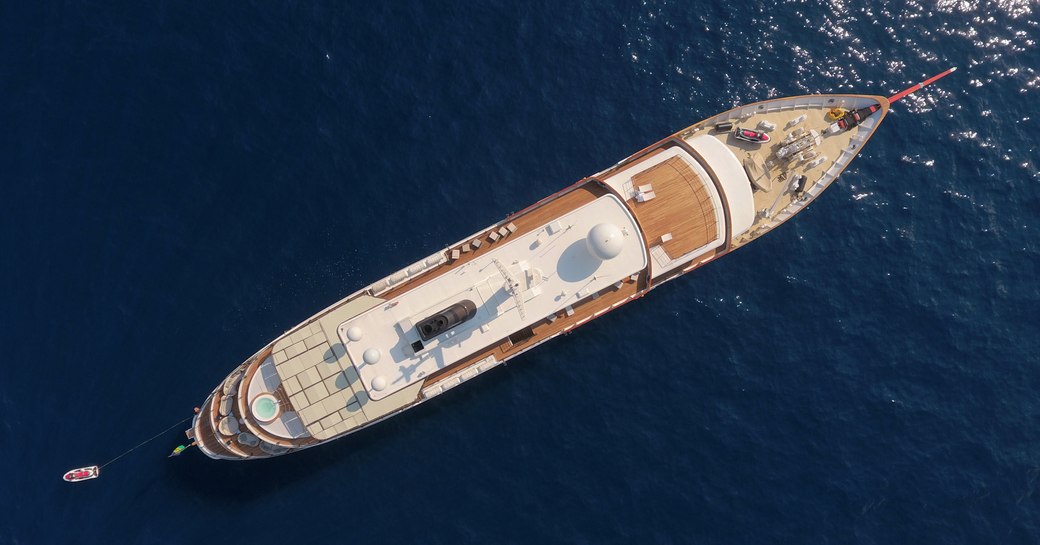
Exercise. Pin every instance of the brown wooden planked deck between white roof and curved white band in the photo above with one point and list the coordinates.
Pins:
(683, 207)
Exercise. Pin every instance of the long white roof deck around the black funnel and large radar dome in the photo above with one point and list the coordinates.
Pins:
(534, 276)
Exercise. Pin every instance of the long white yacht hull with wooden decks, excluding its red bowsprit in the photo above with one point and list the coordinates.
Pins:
(586, 251)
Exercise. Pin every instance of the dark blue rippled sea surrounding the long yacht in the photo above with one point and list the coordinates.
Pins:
(184, 181)
